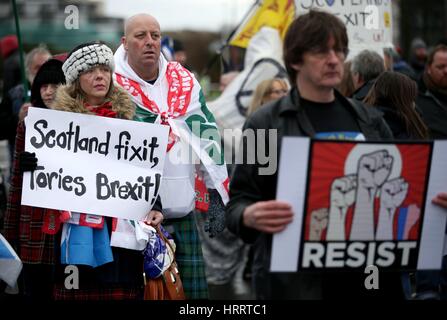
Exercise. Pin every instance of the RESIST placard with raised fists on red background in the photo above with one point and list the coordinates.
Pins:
(361, 203)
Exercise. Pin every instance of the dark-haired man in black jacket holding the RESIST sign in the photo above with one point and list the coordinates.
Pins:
(315, 48)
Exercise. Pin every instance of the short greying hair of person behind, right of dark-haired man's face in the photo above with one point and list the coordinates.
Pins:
(368, 64)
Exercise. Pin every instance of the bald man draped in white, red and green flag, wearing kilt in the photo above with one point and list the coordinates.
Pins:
(167, 93)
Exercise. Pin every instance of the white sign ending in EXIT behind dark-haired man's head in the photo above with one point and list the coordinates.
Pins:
(369, 22)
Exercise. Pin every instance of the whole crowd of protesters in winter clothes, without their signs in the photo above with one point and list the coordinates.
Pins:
(324, 94)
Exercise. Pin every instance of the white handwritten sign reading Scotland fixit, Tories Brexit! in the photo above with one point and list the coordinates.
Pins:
(91, 164)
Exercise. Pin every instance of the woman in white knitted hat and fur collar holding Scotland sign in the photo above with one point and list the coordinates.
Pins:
(117, 272)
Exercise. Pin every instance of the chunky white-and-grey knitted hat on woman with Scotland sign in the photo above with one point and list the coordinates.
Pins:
(85, 57)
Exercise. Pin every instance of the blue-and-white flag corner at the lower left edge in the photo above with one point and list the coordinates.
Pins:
(10, 263)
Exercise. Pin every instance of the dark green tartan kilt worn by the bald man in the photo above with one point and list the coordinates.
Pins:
(189, 257)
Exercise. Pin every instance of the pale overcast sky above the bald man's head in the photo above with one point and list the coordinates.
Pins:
(211, 15)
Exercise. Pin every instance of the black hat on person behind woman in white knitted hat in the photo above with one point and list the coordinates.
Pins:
(49, 73)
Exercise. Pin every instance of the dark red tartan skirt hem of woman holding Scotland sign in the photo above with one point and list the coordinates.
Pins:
(100, 292)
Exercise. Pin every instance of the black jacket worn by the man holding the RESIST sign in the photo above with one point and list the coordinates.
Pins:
(248, 187)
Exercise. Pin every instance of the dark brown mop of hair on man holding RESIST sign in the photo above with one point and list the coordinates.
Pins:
(310, 31)
